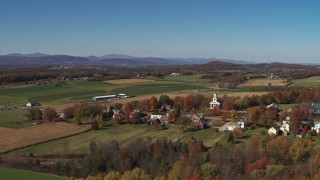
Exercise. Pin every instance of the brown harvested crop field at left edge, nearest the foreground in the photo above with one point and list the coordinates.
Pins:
(12, 139)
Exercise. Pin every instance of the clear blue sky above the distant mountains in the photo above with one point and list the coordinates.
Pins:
(260, 30)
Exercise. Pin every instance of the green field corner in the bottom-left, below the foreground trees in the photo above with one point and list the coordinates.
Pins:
(6, 174)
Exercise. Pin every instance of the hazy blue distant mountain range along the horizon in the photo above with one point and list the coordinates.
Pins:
(119, 60)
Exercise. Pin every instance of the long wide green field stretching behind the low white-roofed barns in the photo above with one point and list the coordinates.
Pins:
(75, 91)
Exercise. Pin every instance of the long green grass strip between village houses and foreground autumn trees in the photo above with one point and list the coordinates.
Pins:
(122, 133)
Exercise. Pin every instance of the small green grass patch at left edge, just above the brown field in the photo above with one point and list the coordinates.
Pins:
(13, 119)
